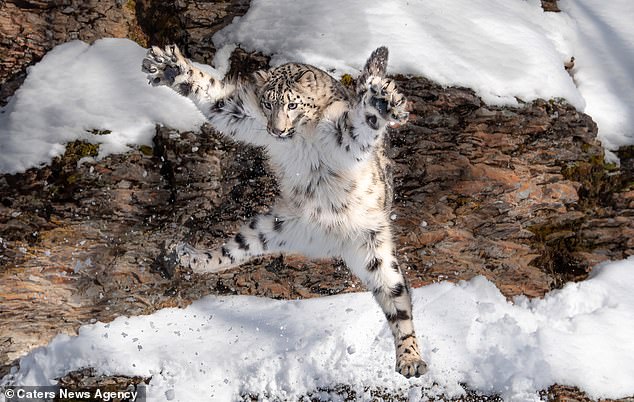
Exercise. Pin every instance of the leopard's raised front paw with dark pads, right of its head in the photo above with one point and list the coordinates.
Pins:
(384, 101)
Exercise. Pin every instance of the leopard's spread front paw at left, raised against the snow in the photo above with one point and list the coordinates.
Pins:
(164, 66)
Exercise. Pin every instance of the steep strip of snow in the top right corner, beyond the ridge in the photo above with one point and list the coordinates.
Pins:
(604, 66)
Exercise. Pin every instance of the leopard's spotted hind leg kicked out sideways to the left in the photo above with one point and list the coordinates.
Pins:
(265, 234)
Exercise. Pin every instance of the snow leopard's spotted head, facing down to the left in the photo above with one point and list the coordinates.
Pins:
(290, 96)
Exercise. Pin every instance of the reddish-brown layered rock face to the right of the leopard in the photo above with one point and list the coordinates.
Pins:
(521, 196)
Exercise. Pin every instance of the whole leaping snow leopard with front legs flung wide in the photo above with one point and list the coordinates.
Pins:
(325, 146)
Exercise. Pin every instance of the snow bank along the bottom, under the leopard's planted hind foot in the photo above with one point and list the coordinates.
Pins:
(222, 347)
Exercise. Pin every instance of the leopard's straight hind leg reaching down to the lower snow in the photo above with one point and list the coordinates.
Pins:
(375, 263)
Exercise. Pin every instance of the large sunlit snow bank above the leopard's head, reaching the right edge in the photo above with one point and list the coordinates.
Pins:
(504, 50)
